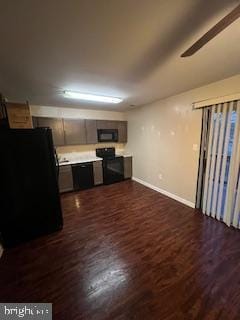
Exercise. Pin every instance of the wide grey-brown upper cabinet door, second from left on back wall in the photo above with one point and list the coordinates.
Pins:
(75, 131)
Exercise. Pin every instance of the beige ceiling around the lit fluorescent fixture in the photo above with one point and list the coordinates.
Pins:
(124, 48)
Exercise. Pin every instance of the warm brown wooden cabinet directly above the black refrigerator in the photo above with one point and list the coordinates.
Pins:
(19, 115)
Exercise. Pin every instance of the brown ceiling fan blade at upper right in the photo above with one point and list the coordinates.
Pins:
(220, 26)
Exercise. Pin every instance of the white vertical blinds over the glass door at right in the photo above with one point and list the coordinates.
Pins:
(219, 179)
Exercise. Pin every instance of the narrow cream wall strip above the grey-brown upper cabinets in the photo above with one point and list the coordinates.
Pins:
(55, 112)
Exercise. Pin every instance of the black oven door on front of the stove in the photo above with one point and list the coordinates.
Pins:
(113, 170)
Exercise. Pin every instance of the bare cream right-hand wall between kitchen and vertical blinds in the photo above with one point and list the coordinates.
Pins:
(163, 136)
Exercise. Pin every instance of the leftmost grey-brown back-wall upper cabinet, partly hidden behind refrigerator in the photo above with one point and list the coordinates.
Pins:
(56, 124)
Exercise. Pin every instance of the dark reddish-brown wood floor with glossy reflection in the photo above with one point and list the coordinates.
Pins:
(127, 252)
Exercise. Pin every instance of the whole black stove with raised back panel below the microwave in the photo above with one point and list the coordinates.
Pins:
(113, 168)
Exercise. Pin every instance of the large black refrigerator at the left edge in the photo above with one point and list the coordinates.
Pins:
(29, 196)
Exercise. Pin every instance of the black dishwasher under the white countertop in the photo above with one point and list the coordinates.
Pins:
(82, 176)
